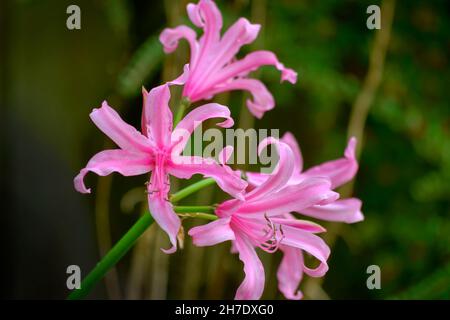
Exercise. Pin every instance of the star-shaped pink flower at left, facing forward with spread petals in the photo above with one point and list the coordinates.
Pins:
(158, 150)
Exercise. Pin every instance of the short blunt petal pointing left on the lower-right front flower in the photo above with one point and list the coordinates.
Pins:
(212, 233)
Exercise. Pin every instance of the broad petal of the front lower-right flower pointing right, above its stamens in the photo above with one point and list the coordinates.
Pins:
(309, 192)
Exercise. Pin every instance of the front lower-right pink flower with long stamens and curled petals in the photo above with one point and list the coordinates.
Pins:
(260, 221)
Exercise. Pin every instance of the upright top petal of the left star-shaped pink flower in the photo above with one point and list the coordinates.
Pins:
(158, 115)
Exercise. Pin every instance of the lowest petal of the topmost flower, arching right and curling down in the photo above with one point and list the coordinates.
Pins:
(262, 98)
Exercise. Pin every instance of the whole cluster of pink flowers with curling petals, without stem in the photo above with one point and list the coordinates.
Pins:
(260, 214)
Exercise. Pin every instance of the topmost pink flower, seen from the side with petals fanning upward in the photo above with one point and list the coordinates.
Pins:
(213, 67)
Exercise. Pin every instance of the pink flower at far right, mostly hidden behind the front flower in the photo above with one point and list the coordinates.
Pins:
(339, 172)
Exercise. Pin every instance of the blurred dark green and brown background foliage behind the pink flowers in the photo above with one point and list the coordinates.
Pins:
(51, 78)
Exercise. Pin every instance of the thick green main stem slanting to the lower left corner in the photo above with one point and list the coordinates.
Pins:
(112, 257)
